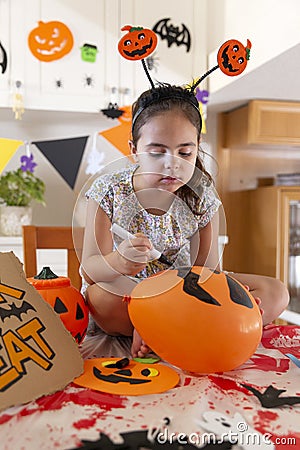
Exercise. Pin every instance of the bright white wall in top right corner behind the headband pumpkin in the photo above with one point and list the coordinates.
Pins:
(271, 25)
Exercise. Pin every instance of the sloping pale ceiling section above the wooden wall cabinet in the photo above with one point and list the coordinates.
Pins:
(277, 79)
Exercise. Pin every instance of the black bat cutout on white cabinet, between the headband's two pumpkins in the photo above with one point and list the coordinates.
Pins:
(173, 34)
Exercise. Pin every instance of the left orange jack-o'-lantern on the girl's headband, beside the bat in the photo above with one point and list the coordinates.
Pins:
(138, 43)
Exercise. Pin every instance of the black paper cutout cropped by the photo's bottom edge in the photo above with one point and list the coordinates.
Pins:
(138, 440)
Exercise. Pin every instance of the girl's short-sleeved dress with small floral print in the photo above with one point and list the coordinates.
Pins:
(170, 233)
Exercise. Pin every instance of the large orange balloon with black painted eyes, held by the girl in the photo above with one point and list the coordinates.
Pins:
(196, 319)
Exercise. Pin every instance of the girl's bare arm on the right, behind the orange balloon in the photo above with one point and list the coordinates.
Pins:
(204, 245)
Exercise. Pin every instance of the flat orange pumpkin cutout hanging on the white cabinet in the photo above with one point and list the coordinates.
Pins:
(50, 41)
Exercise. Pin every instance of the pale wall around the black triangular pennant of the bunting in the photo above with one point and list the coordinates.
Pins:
(43, 125)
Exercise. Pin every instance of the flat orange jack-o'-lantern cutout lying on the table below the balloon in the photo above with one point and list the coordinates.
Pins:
(132, 378)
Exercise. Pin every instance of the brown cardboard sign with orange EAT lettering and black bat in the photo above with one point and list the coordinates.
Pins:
(37, 355)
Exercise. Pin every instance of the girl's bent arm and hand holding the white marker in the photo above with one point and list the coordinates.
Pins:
(99, 261)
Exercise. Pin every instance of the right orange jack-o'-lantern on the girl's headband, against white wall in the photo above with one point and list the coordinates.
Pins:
(233, 57)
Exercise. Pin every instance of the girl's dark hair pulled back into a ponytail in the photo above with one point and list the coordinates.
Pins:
(166, 97)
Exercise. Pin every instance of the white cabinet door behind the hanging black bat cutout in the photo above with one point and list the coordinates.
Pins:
(174, 61)
